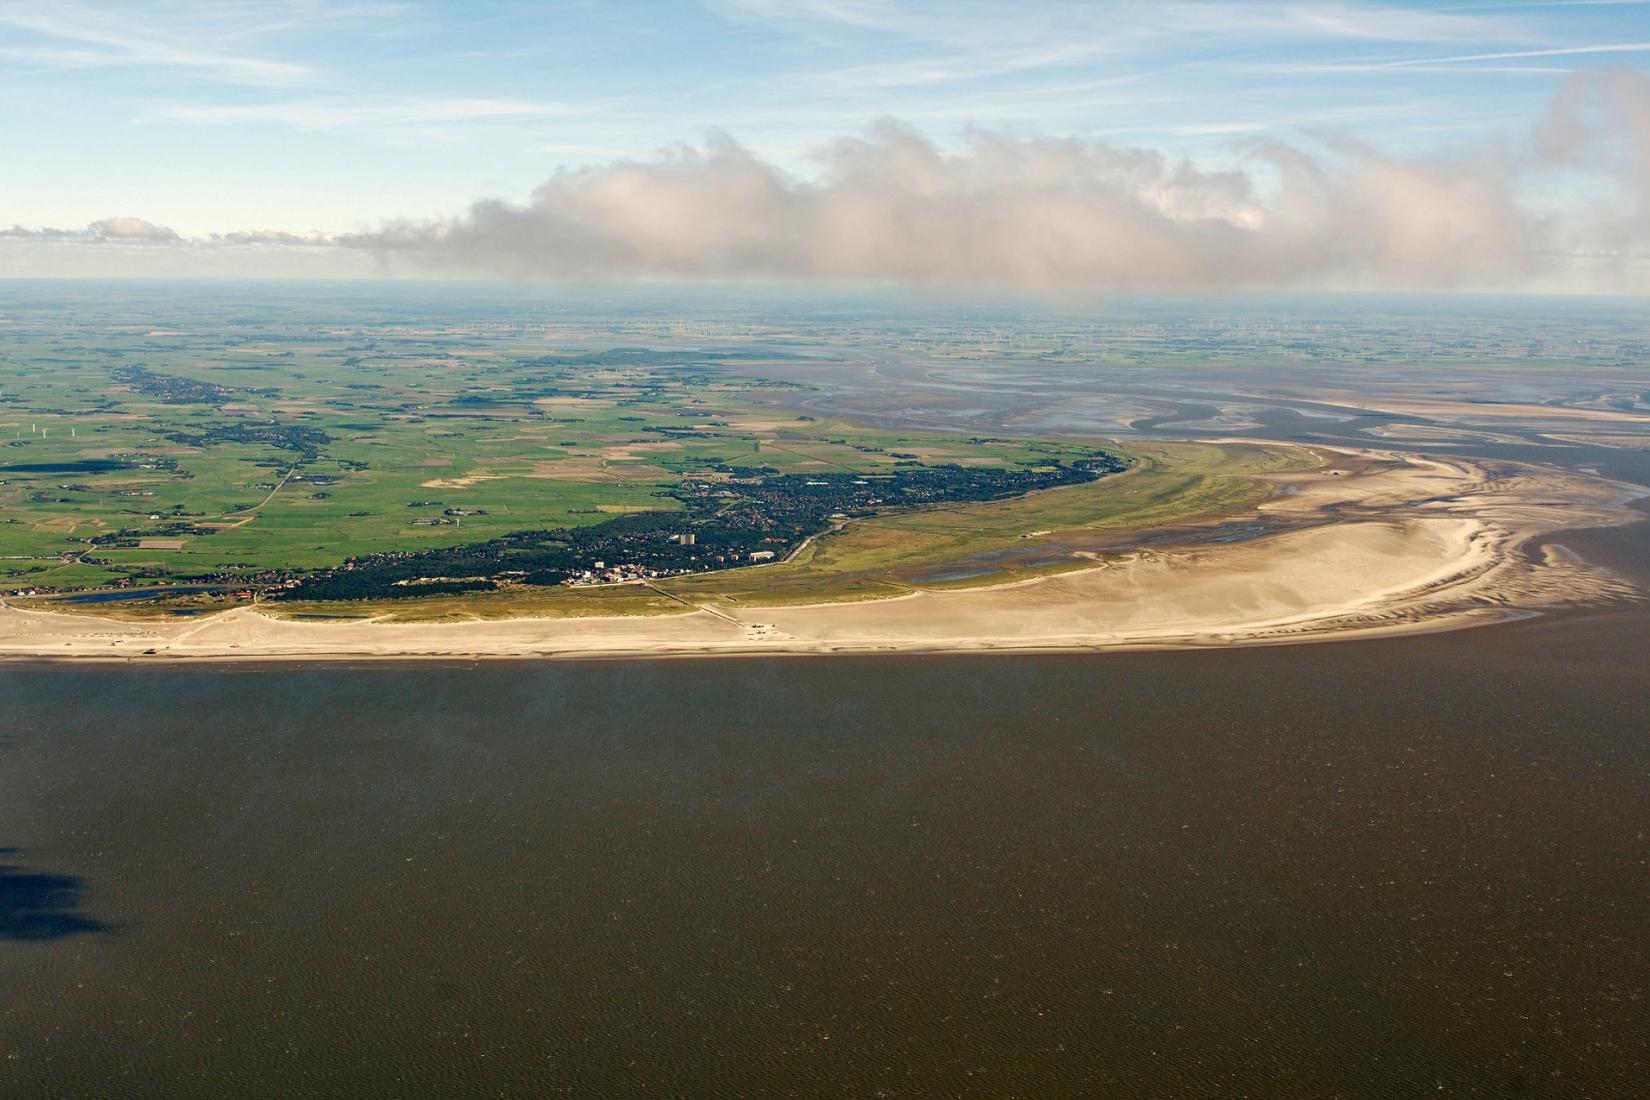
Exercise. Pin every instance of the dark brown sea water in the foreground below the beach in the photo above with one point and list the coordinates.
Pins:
(1365, 870)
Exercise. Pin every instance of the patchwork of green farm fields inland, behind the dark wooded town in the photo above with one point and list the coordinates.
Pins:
(103, 482)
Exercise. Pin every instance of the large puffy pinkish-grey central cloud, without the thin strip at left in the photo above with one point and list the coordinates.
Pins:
(1001, 212)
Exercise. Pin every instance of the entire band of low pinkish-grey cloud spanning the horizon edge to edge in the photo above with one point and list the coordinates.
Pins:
(1054, 214)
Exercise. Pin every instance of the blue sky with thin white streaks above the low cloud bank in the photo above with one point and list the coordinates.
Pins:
(217, 118)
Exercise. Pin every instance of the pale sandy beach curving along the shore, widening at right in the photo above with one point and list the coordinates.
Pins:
(1402, 545)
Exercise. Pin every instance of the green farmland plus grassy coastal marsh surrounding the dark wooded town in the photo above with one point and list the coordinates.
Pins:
(222, 449)
